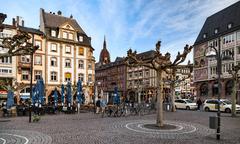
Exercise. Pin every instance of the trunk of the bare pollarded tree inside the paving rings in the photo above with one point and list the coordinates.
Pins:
(159, 99)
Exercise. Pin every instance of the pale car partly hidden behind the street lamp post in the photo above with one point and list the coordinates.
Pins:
(225, 105)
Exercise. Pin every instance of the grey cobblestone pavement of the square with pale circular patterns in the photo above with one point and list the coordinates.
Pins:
(89, 128)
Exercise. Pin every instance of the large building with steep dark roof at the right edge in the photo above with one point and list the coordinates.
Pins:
(223, 27)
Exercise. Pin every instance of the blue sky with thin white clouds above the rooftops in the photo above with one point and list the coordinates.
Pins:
(136, 24)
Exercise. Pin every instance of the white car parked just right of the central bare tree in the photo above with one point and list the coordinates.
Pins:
(185, 104)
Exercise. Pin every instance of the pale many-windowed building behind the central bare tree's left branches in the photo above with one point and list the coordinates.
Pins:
(142, 81)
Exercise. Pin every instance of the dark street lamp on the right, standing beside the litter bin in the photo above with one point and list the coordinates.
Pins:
(214, 52)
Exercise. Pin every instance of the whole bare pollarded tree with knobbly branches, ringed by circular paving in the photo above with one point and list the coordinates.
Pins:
(159, 63)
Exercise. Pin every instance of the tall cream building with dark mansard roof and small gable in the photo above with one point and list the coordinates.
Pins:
(68, 53)
